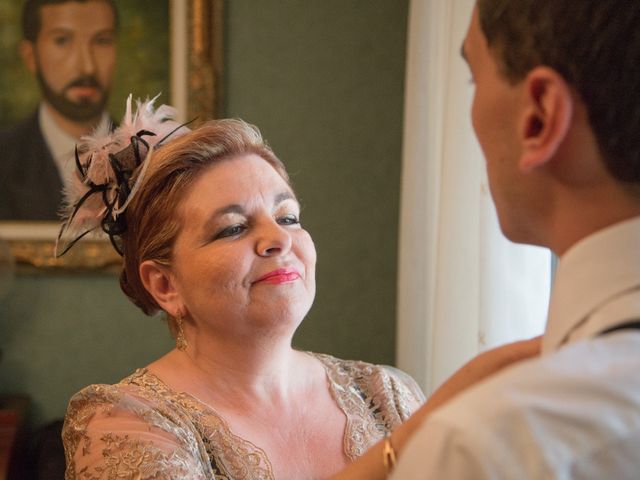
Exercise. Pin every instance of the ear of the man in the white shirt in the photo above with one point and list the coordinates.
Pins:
(546, 117)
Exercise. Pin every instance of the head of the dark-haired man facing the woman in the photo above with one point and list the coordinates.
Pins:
(555, 79)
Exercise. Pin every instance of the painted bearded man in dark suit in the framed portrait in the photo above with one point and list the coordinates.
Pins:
(70, 47)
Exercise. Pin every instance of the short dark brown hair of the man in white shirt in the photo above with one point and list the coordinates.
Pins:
(595, 46)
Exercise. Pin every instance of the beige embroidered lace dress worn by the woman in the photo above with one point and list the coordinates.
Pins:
(140, 428)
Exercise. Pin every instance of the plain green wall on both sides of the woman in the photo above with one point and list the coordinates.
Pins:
(323, 79)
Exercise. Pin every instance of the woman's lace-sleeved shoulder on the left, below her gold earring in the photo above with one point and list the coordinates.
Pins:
(134, 418)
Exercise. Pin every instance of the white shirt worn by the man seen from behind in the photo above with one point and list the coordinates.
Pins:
(573, 413)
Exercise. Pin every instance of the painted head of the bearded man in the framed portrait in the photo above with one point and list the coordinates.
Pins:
(70, 45)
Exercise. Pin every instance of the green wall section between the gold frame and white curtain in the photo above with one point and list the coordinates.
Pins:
(324, 81)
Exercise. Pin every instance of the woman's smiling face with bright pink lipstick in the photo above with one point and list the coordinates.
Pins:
(242, 263)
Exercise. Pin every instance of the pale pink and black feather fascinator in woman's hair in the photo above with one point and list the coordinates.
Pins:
(106, 163)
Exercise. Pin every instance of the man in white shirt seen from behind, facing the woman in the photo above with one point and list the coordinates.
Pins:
(556, 116)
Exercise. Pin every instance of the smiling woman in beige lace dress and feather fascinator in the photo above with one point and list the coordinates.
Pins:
(210, 232)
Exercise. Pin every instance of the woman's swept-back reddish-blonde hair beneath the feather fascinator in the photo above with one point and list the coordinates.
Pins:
(152, 218)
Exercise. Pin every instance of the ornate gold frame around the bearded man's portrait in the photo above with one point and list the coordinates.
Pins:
(31, 244)
